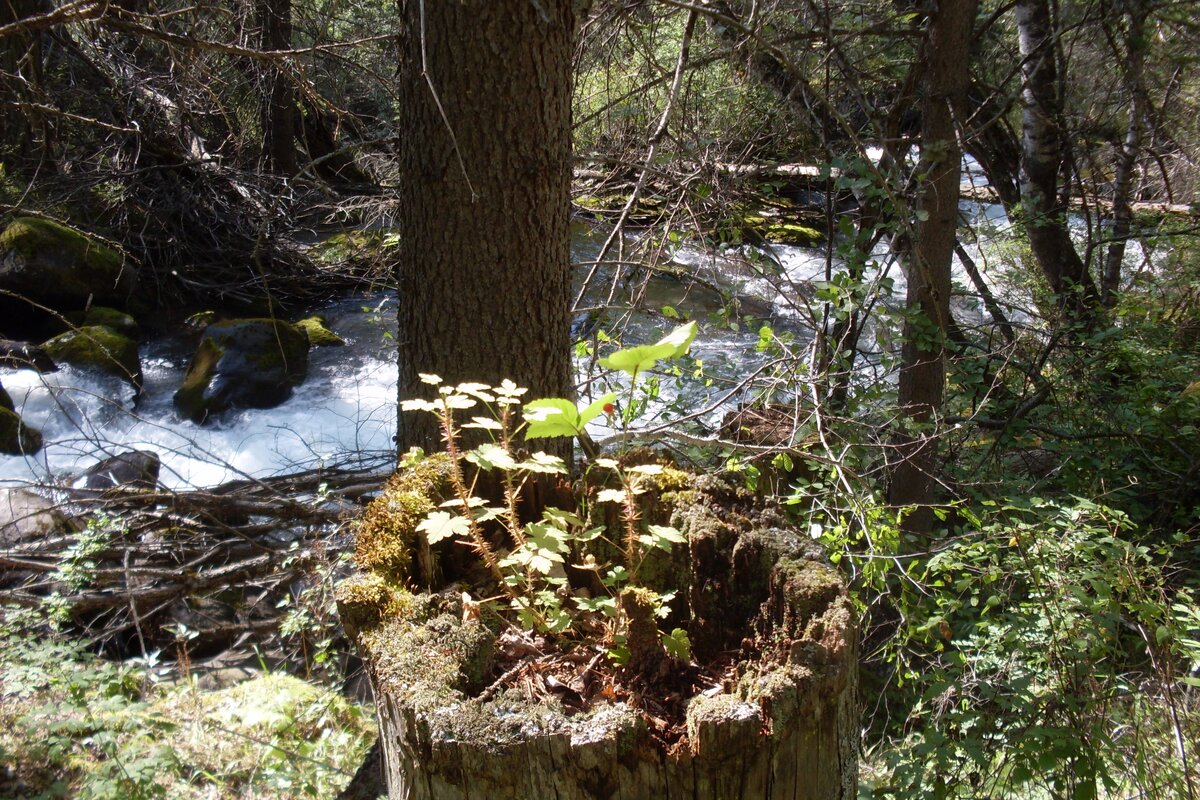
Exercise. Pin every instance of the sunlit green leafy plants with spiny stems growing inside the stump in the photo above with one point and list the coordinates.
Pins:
(532, 574)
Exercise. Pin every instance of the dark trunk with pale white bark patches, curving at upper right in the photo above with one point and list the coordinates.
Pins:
(1045, 147)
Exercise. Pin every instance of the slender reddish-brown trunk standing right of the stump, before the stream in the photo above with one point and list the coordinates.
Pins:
(923, 365)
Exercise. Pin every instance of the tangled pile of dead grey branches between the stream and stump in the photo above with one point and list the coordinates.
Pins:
(219, 558)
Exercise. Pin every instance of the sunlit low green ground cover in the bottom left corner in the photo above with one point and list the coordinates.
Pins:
(75, 726)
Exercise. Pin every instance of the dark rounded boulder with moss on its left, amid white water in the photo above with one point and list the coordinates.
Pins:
(243, 364)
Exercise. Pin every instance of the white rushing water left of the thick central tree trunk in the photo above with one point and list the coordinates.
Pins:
(346, 408)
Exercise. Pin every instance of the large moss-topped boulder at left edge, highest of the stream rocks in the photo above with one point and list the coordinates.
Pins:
(61, 268)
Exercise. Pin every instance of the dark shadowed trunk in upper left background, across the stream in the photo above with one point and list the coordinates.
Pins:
(279, 103)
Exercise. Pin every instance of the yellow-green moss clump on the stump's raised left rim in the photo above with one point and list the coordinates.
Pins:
(387, 531)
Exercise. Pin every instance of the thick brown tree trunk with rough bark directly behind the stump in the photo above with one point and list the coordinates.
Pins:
(484, 256)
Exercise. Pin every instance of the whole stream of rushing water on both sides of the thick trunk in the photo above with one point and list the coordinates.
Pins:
(345, 413)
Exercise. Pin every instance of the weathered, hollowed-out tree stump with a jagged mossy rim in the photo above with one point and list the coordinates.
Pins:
(784, 724)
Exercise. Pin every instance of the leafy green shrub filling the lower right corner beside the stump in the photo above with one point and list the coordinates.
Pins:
(1021, 652)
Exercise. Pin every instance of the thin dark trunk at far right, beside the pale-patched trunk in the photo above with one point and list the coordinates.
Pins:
(1127, 160)
